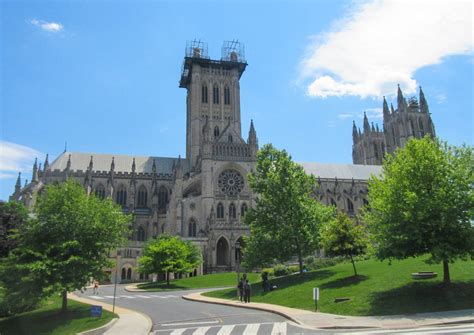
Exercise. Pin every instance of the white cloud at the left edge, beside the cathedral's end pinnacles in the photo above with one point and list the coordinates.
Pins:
(16, 158)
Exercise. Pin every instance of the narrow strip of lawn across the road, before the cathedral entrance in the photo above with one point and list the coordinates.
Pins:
(211, 280)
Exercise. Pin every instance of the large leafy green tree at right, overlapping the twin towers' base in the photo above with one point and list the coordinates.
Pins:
(424, 203)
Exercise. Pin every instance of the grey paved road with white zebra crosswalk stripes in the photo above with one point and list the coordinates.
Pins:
(171, 314)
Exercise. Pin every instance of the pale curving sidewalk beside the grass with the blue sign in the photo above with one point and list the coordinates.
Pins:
(129, 322)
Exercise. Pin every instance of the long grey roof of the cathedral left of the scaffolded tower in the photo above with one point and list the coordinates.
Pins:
(123, 163)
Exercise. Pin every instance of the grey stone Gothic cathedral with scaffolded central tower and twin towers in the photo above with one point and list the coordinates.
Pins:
(203, 197)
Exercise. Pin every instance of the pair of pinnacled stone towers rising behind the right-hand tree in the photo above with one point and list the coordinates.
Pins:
(410, 119)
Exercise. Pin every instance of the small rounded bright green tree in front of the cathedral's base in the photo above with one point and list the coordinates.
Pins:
(167, 254)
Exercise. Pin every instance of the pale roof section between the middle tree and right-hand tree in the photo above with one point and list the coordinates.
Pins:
(342, 171)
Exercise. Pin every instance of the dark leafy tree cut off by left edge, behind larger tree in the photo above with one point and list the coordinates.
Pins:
(12, 216)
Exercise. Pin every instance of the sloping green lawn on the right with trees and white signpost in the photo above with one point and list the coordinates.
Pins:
(380, 289)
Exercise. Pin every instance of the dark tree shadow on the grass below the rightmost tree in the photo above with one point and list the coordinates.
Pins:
(422, 297)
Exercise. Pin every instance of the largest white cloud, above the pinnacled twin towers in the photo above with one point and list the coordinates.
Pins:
(383, 42)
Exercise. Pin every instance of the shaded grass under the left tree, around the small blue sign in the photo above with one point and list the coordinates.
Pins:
(48, 320)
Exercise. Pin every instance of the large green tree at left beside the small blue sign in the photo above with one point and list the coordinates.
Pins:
(68, 242)
